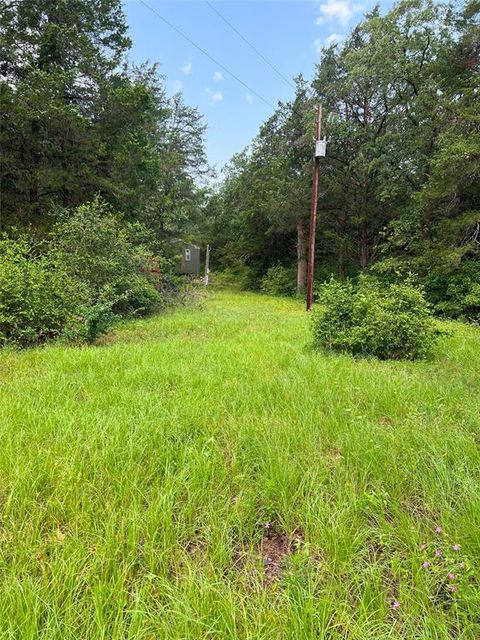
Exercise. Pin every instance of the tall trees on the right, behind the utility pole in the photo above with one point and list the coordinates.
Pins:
(400, 185)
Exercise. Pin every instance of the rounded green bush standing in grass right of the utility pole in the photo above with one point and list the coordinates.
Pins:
(369, 319)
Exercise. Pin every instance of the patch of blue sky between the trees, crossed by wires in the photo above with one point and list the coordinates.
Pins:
(289, 33)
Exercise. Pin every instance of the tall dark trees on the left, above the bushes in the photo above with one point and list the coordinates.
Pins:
(77, 119)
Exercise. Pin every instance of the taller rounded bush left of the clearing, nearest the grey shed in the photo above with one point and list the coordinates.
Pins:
(100, 252)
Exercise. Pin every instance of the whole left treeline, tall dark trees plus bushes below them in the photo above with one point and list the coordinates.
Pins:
(99, 171)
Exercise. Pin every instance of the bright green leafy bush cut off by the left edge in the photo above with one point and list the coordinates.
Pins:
(39, 298)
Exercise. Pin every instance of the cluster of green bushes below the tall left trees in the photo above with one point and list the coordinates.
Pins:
(93, 270)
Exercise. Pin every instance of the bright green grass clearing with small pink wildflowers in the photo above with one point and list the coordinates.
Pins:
(145, 481)
